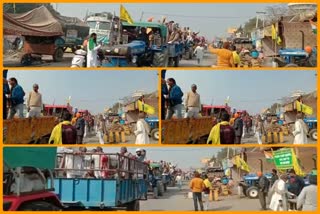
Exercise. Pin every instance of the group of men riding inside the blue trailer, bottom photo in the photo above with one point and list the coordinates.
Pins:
(79, 162)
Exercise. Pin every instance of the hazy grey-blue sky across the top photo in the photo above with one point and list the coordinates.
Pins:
(210, 19)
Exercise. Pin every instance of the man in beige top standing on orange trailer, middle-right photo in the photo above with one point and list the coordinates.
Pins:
(192, 103)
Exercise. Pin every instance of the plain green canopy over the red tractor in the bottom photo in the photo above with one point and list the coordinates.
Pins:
(39, 157)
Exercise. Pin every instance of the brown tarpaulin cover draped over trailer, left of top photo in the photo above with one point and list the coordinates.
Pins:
(37, 22)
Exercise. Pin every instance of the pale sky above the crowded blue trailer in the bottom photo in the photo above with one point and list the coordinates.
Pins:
(183, 156)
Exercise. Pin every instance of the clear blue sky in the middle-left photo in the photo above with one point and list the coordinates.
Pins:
(92, 90)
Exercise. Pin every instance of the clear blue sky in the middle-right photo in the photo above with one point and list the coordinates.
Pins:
(248, 90)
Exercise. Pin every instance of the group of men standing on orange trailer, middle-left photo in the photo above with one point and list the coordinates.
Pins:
(14, 100)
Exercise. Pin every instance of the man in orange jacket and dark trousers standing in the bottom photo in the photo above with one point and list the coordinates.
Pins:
(197, 186)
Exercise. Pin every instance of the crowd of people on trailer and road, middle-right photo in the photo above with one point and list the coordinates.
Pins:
(228, 128)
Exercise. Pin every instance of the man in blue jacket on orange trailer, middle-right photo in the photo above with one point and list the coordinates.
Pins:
(174, 99)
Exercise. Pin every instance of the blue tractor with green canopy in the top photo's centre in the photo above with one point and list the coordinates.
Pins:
(135, 51)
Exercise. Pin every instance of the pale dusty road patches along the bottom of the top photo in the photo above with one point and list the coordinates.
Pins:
(208, 60)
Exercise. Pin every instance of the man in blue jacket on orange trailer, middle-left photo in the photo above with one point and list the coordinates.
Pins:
(15, 99)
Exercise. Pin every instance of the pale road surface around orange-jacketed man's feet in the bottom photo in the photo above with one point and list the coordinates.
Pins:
(175, 200)
